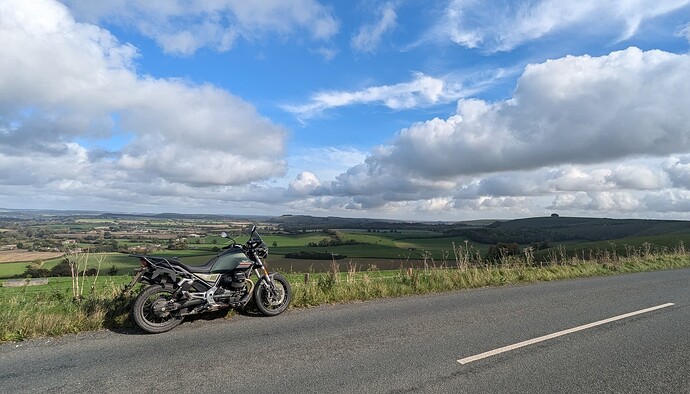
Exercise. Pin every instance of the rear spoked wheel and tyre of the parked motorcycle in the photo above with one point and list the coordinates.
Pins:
(151, 310)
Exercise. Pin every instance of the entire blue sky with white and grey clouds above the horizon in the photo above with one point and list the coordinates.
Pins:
(412, 110)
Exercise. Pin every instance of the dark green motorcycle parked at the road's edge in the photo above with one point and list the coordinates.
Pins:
(175, 290)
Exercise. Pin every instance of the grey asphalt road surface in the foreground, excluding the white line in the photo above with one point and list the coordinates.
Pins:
(410, 344)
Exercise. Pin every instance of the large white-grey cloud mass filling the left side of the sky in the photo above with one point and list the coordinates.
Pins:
(69, 93)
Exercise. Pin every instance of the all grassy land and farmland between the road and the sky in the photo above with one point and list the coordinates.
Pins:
(325, 259)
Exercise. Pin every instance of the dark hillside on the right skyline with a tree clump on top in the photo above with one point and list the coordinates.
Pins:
(562, 229)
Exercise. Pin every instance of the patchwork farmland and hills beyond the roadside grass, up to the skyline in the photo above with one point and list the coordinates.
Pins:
(308, 244)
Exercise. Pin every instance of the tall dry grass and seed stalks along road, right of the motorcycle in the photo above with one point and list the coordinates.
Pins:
(469, 270)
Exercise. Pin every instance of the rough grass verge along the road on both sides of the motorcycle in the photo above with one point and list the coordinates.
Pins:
(29, 312)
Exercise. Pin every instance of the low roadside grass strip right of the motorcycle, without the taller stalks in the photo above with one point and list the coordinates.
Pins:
(337, 286)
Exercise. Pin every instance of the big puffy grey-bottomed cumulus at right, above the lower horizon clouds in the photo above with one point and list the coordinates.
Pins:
(571, 110)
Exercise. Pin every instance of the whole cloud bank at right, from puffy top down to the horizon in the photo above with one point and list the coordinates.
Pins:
(606, 133)
